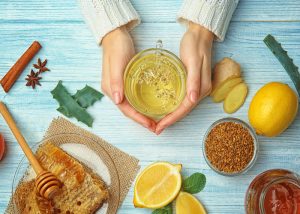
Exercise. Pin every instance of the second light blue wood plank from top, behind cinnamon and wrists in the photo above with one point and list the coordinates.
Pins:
(72, 51)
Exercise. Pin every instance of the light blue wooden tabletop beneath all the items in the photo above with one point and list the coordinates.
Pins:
(75, 58)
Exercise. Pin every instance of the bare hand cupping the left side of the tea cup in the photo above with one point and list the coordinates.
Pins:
(118, 49)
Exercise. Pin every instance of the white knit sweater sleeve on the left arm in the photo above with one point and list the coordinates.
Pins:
(103, 16)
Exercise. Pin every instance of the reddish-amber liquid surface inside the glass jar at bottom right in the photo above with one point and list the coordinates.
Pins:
(282, 198)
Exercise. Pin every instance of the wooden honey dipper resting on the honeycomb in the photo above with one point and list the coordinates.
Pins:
(46, 183)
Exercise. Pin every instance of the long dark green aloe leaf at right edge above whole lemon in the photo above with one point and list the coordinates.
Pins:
(284, 59)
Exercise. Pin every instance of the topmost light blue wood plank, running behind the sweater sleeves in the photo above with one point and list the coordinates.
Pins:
(150, 10)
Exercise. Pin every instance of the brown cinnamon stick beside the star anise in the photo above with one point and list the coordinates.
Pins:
(15, 71)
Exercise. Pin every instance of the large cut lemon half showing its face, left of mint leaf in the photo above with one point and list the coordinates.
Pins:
(157, 185)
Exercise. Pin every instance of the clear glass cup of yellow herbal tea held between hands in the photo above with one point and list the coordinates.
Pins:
(155, 82)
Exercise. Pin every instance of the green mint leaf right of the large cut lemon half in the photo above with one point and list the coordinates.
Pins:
(195, 183)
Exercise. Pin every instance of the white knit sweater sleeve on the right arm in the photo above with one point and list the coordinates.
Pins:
(214, 15)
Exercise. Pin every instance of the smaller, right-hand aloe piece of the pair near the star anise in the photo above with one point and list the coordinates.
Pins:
(87, 96)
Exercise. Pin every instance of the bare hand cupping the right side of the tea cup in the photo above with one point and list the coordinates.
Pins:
(195, 53)
